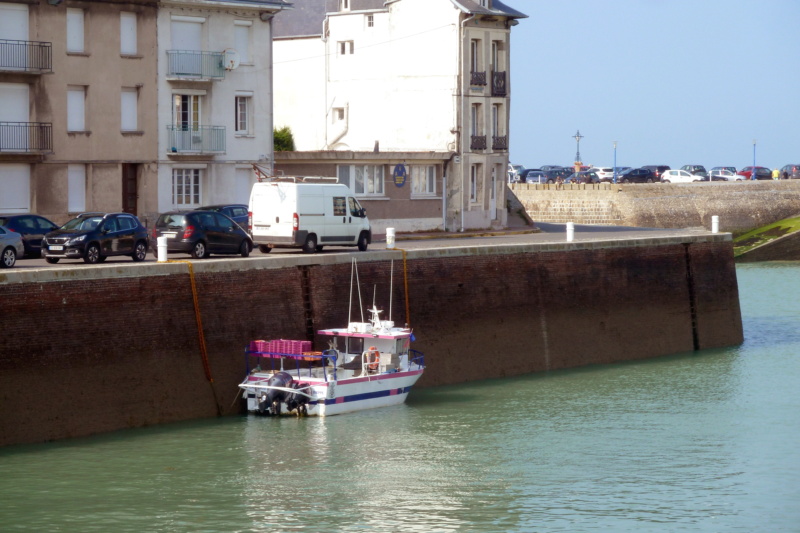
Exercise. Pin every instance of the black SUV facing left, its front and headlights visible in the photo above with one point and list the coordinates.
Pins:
(95, 236)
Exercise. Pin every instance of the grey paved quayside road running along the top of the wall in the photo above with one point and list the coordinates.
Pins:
(549, 233)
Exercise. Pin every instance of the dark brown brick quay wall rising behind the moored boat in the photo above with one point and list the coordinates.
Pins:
(91, 350)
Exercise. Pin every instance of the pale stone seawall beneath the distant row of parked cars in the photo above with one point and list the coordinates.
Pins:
(741, 206)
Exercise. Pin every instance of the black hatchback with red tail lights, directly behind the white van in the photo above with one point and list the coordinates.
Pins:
(200, 233)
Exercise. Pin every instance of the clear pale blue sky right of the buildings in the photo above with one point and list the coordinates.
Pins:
(674, 82)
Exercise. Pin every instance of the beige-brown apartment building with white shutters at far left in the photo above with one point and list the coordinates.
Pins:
(76, 81)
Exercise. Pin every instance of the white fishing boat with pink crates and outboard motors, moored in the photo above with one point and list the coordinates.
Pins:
(366, 365)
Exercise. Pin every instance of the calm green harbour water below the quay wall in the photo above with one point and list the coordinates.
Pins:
(706, 441)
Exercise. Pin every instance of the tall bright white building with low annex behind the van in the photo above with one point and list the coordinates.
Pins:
(407, 101)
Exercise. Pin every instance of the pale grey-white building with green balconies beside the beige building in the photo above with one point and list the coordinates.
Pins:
(214, 99)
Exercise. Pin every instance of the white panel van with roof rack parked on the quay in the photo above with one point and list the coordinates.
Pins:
(306, 215)
